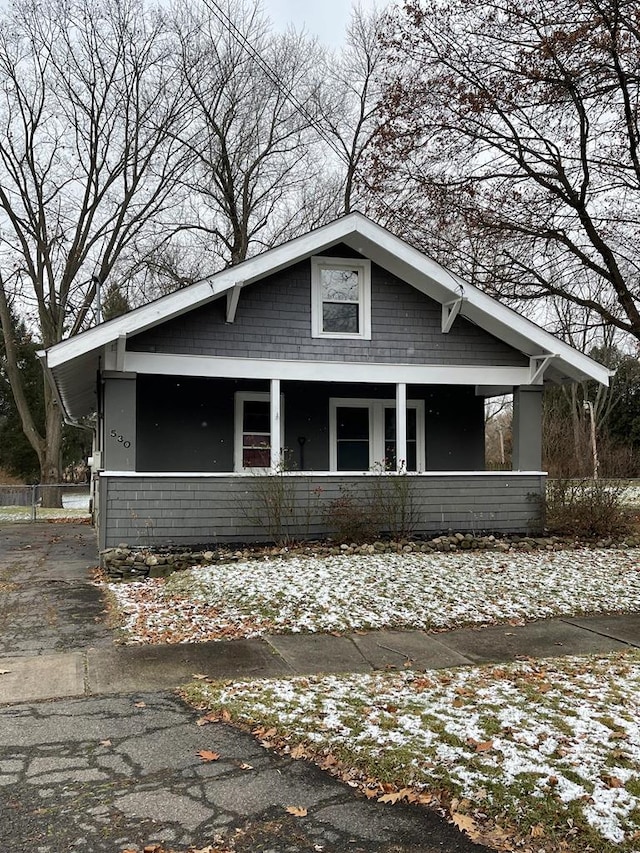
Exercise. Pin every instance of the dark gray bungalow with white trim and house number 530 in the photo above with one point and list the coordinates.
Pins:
(268, 397)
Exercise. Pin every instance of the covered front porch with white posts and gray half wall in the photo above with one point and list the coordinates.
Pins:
(190, 460)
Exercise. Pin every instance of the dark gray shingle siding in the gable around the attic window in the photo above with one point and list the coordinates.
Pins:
(273, 320)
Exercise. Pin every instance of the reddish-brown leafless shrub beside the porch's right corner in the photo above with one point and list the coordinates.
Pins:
(586, 508)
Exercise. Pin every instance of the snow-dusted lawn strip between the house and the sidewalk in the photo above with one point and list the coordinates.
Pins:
(356, 592)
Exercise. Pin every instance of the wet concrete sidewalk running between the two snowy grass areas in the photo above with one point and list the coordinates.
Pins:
(127, 669)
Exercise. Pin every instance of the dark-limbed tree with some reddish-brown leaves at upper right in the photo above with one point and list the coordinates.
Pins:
(513, 127)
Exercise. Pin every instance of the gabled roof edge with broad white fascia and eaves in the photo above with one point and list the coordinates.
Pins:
(73, 363)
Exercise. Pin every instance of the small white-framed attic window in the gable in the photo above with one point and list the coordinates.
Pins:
(340, 298)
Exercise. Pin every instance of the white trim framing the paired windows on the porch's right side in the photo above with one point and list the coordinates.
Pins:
(376, 429)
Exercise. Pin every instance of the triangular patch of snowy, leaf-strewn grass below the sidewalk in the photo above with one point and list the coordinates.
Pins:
(554, 745)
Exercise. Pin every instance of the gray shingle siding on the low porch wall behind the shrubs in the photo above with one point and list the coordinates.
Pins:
(156, 510)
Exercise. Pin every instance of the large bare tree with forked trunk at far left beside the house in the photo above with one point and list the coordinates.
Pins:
(89, 117)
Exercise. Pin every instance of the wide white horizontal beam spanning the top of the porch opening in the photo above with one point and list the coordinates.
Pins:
(324, 371)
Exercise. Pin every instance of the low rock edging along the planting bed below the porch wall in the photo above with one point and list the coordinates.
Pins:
(130, 563)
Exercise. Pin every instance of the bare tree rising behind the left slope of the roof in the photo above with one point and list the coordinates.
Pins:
(250, 131)
